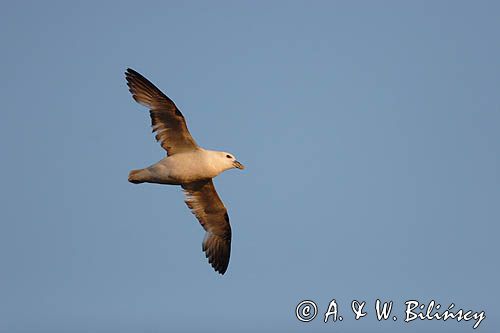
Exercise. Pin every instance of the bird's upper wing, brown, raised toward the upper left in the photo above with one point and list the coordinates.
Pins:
(166, 119)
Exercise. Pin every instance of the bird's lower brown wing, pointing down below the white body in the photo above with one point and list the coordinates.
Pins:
(208, 208)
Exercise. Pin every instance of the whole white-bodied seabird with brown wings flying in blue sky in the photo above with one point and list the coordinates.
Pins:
(187, 165)
